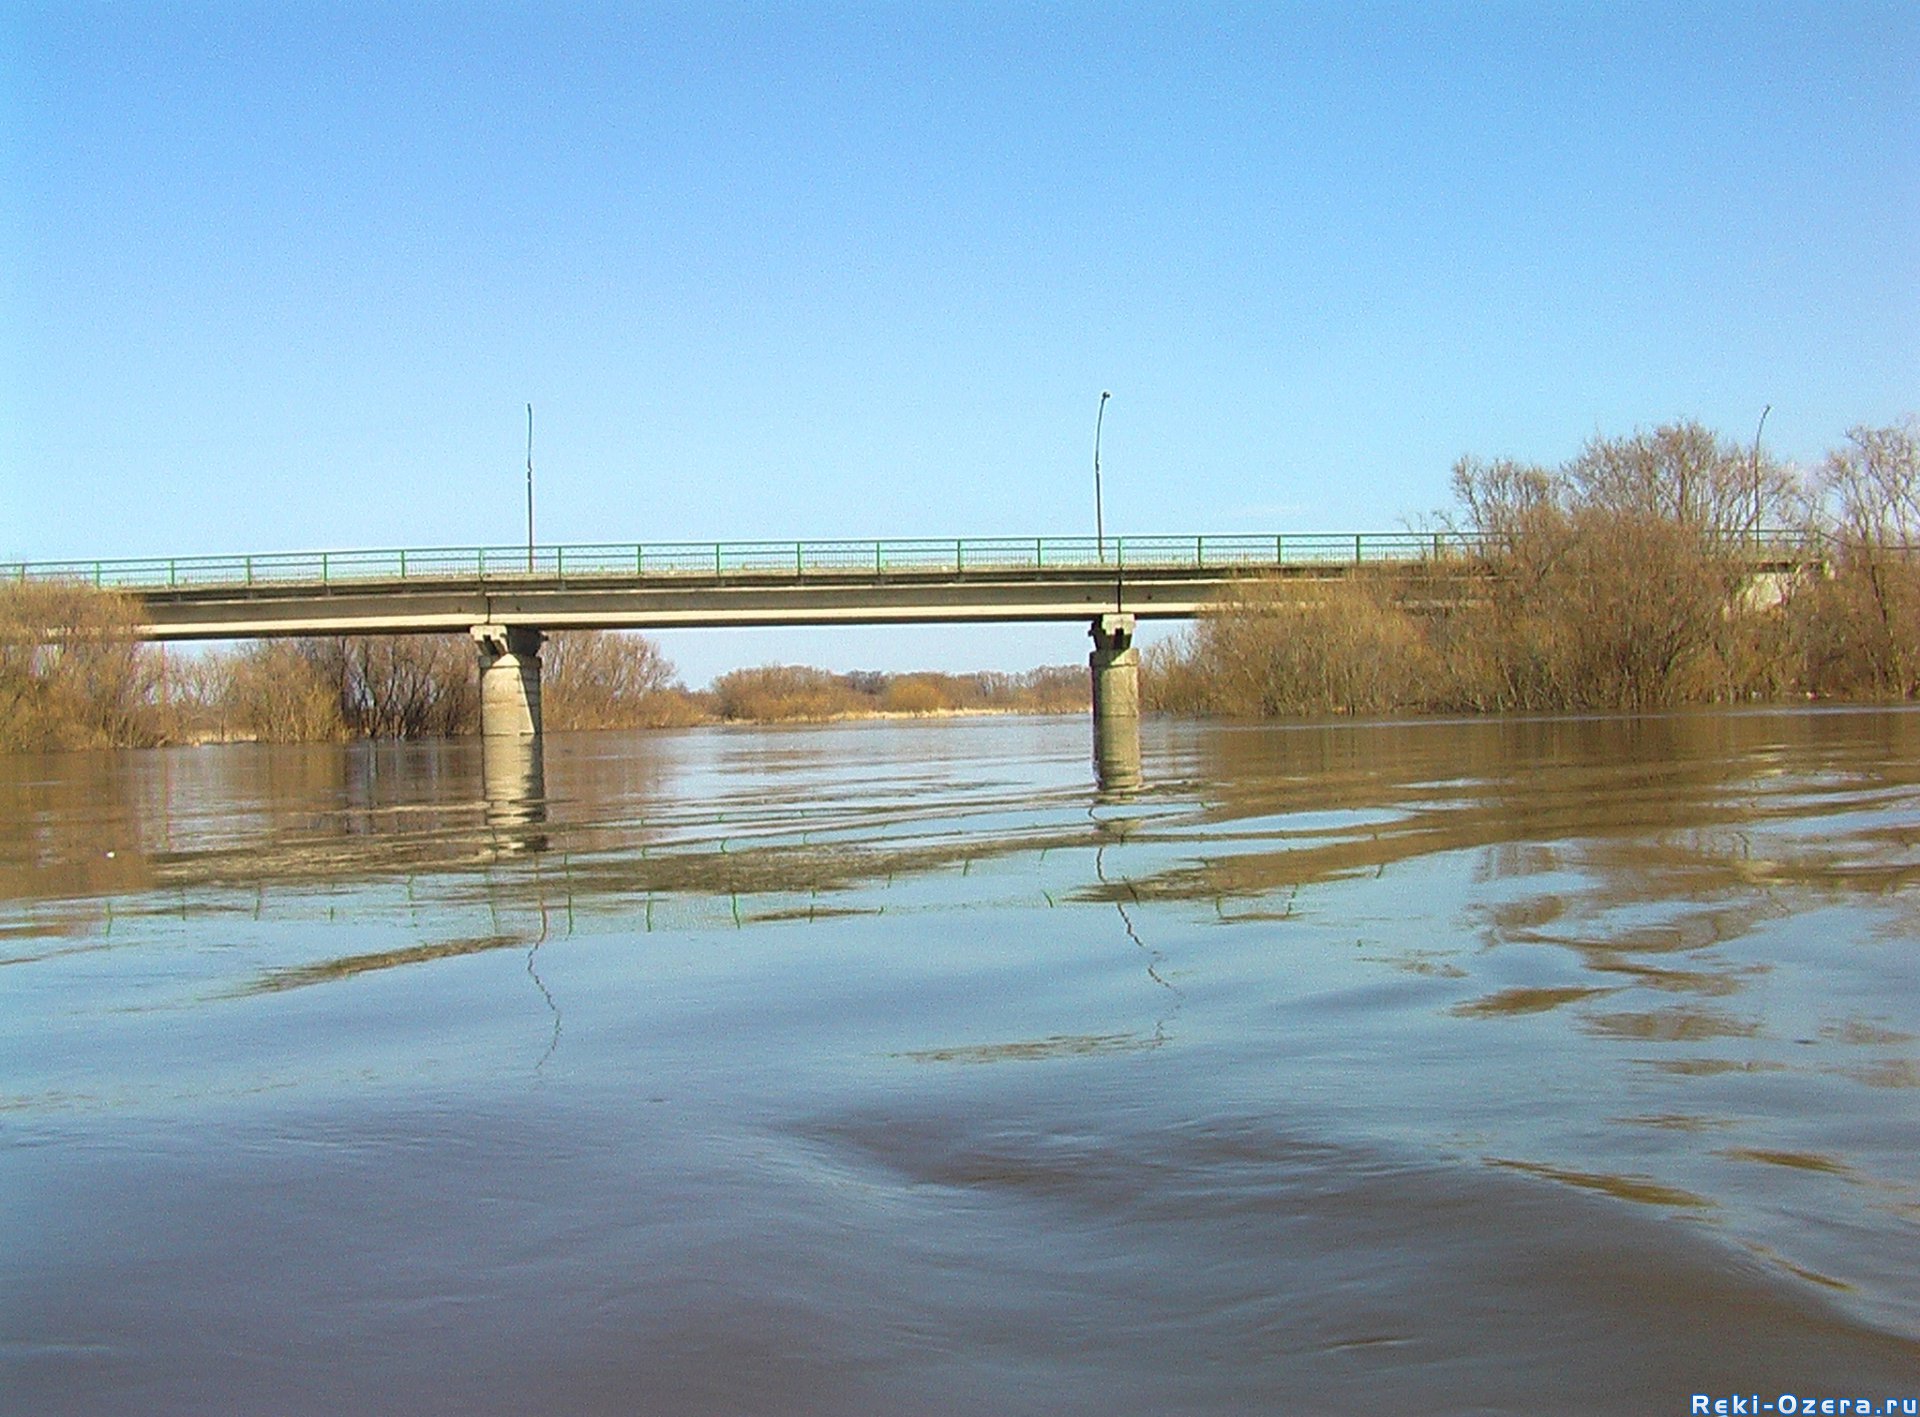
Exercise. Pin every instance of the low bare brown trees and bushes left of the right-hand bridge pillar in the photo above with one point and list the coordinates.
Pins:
(72, 675)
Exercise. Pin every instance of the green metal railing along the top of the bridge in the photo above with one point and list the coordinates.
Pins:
(786, 560)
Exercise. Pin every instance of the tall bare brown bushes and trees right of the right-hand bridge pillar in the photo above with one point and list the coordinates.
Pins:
(1621, 579)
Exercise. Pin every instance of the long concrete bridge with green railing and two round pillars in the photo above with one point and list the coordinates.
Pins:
(512, 598)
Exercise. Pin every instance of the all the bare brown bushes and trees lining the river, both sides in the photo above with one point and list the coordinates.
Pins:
(1623, 579)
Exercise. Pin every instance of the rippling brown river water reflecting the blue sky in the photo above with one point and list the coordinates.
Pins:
(1516, 1067)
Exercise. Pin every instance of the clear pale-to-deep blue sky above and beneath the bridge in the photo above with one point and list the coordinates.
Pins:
(285, 277)
